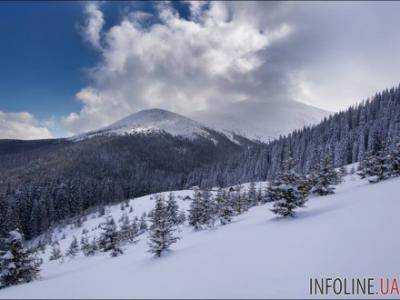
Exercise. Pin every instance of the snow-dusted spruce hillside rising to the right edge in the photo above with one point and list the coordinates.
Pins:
(347, 136)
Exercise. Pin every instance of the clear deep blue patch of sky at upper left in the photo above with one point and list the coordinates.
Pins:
(42, 57)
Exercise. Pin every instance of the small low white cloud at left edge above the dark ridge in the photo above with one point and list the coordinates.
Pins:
(22, 125)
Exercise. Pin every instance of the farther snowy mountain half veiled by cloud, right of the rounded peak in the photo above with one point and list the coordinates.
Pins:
(261, 120)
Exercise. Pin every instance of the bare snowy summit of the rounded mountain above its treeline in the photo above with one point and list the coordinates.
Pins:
(157, 121)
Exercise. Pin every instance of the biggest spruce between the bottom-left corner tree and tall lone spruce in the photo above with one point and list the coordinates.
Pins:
(109, 238)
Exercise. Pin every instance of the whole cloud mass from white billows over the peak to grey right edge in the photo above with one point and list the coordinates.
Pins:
(326, 54)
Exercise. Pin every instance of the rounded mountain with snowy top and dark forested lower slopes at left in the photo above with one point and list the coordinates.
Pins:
(147, 152)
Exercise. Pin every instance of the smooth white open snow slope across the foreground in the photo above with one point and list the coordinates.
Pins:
(351, 233)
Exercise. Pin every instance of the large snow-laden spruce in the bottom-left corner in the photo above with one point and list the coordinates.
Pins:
(17, 264)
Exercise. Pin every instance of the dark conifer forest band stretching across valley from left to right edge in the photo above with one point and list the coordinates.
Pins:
(45, 182)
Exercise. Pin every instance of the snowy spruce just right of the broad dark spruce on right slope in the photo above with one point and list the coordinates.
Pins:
(326, 178)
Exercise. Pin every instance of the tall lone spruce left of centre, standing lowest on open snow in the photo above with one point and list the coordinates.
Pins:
(162, 230)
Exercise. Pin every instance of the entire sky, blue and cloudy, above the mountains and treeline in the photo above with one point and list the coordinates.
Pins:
(185, 56)
